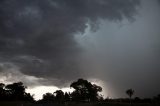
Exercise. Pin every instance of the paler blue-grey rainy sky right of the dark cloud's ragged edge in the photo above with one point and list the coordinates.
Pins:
(125, 54)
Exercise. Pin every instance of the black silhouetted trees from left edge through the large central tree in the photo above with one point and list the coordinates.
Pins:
(84, 91)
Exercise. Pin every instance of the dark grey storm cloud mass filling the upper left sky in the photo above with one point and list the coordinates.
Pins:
(38, 35)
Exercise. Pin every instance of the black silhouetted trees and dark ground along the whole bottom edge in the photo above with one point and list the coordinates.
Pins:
(85, 94)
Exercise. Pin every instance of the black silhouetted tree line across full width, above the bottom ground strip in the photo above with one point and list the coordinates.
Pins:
(84, 91)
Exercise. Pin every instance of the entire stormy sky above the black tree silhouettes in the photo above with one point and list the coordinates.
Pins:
(51, 43)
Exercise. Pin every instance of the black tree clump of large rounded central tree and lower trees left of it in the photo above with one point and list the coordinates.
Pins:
(84, 91)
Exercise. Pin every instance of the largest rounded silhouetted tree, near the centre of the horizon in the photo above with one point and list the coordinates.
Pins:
(85, 91)
